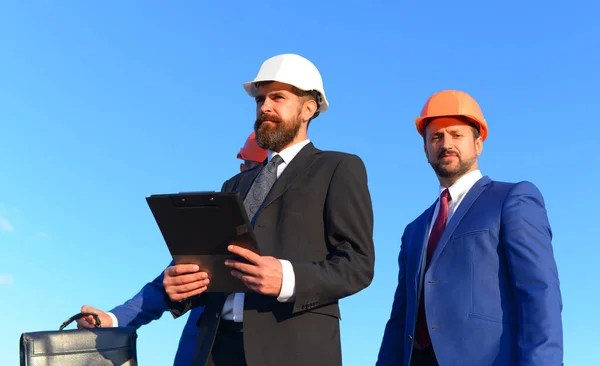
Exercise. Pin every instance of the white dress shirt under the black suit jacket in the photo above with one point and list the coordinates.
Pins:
(234, 305)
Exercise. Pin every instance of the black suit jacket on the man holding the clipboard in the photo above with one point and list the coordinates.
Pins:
(319, 216)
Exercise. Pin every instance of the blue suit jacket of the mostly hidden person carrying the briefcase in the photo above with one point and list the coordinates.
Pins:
(148, 305)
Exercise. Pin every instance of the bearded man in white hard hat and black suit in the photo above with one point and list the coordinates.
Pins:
(312, 215)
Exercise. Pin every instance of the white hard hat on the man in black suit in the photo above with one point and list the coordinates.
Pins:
(290, 69)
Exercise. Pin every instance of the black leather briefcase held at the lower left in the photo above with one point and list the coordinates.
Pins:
(79, 347)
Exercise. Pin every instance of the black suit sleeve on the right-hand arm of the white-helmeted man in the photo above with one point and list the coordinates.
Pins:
(348, 219)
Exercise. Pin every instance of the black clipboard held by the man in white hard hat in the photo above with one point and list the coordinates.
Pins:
(198, 227)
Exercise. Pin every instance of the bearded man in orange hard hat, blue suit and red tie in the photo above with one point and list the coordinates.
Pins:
(477, 283)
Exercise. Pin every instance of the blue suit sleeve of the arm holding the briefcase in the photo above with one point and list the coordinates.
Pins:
(146, 306)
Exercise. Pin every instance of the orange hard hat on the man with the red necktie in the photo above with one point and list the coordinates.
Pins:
(452, 103)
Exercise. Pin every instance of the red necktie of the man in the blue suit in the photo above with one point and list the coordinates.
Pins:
(436, 233)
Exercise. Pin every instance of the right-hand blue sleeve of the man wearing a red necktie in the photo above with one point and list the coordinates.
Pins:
(534, 275)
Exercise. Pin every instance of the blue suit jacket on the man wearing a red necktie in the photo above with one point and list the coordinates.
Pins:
(492, 293)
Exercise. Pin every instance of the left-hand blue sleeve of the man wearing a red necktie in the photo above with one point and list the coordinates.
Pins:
(391, 351)
